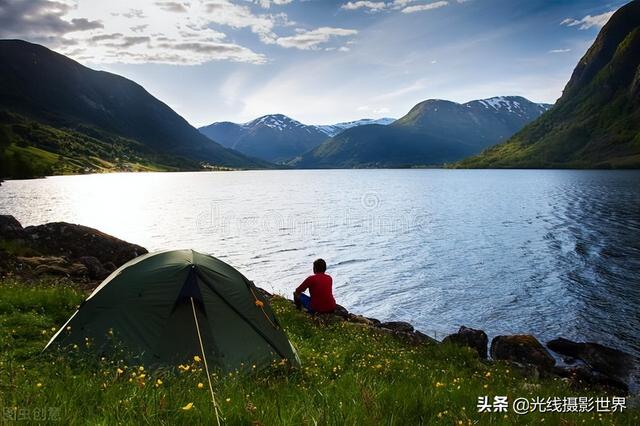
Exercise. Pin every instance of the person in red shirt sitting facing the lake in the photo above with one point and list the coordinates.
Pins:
(320, 288)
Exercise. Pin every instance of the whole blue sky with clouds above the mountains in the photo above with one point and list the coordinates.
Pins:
(318, 61)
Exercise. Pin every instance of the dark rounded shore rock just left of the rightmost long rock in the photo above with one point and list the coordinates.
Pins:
(521, 348)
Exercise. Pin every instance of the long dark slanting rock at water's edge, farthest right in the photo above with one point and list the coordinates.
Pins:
(610, 362)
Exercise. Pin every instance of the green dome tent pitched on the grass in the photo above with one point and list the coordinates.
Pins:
(150, 306)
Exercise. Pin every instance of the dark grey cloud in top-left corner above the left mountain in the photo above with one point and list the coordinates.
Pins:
(40, 20)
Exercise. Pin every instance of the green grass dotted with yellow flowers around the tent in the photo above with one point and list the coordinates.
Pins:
(351, 374)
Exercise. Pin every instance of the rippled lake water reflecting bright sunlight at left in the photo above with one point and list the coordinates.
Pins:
(553, 253)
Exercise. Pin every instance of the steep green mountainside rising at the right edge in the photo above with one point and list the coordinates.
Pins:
(596, 122)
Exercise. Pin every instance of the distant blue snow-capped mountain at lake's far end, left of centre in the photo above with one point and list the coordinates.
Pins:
(273, 137)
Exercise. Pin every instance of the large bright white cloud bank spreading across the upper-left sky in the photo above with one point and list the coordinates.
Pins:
(174, 32)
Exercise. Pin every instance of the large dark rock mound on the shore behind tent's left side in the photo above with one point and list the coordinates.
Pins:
(75, 241)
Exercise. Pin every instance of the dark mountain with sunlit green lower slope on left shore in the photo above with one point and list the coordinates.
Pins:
(57, 116)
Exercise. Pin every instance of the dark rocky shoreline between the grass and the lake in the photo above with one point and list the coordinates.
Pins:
(85, 256)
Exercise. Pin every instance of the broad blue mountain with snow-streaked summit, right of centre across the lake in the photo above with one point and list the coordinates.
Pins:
(432, 133)
